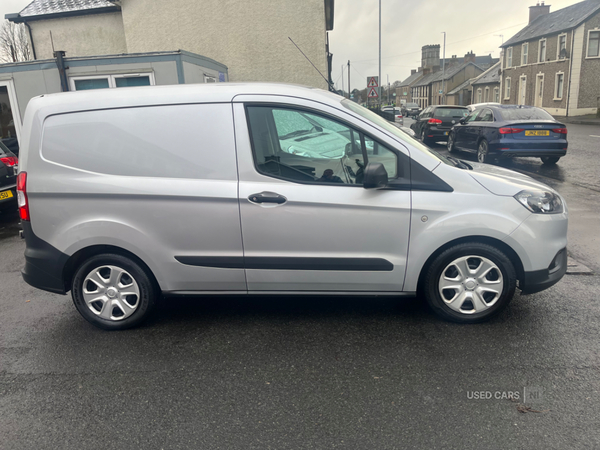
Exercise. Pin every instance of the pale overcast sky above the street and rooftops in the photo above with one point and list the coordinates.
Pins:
(407, 25)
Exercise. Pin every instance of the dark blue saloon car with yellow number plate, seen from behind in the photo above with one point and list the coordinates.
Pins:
(505, 131)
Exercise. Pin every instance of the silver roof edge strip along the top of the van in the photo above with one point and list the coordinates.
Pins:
(170, 95)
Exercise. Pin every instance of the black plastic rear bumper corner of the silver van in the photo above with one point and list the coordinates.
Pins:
(44, 264)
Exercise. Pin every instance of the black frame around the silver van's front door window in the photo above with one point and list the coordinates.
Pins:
(362, 134)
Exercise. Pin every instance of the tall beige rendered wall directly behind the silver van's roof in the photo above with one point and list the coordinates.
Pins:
(251, 38)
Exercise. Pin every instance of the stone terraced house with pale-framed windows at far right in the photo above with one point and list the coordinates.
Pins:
(554, 62)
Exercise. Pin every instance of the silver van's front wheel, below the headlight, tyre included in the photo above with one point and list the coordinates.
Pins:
(487, 289)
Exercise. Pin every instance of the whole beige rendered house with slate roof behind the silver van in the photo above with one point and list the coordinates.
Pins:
(251, 41)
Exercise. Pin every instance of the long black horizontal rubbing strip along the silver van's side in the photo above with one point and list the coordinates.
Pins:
(285, 263)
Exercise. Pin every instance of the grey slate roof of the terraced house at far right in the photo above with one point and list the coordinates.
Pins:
(561, 20)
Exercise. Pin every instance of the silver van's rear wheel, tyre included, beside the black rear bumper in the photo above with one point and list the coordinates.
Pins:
(125, 293)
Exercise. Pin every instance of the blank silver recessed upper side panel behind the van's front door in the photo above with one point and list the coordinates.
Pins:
(180, 141)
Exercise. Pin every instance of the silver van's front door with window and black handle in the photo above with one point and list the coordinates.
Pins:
(307, 222)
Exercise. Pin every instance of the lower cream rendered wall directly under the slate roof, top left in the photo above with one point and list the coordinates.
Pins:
(95, 34)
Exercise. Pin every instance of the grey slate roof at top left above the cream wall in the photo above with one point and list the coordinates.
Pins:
(43, 9)
